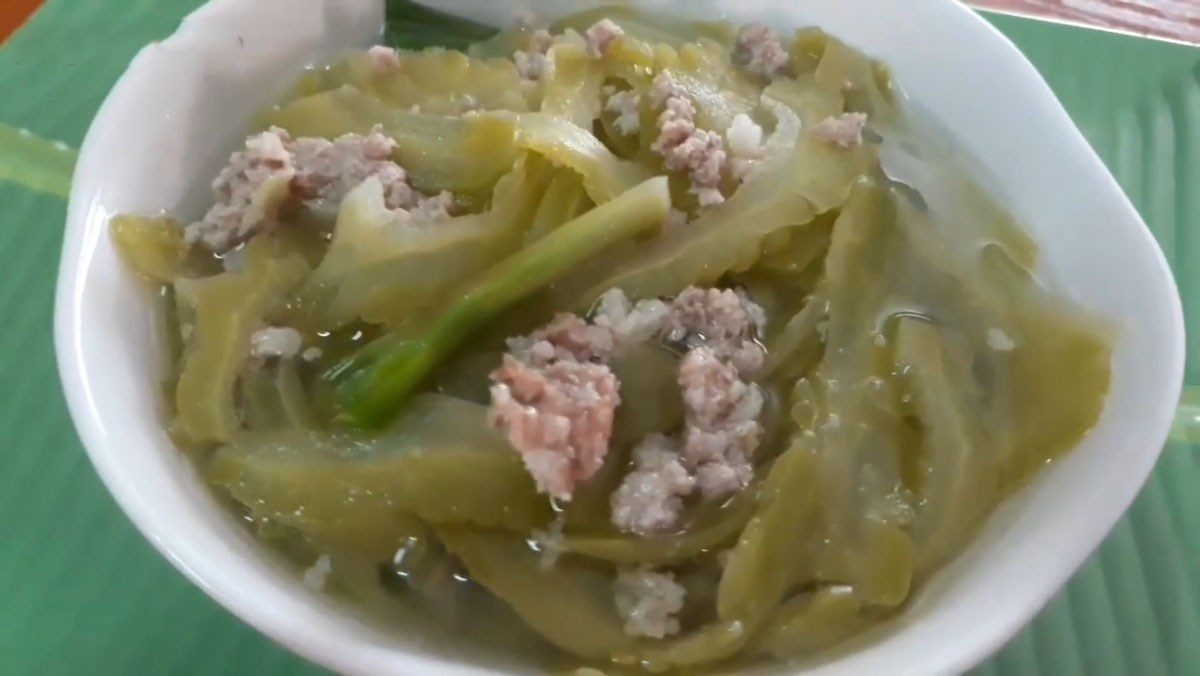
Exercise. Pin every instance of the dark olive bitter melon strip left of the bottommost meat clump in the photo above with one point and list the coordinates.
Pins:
(571, 606)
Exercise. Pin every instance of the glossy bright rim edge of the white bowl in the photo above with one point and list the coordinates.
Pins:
(311, 644)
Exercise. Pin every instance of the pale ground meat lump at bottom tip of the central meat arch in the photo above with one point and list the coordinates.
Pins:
(650, 500)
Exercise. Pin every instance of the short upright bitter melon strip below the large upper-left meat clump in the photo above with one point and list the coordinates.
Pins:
(229, 309)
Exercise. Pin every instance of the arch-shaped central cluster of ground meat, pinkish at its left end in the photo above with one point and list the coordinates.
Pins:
(556, 398)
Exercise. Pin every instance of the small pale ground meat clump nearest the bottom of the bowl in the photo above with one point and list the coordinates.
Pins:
(650, 602)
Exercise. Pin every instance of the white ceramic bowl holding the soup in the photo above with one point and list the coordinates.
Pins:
(184, 104)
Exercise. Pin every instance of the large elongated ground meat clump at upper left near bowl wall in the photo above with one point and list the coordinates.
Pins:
(275, 170)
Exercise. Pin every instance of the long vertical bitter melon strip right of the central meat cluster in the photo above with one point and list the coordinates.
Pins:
(860, 435)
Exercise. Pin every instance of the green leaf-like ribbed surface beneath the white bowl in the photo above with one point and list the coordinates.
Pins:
(82, 593)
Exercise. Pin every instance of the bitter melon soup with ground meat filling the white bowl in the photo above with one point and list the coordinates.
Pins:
(617, 343)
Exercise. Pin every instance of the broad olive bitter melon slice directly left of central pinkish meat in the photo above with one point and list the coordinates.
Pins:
(359, 489)
